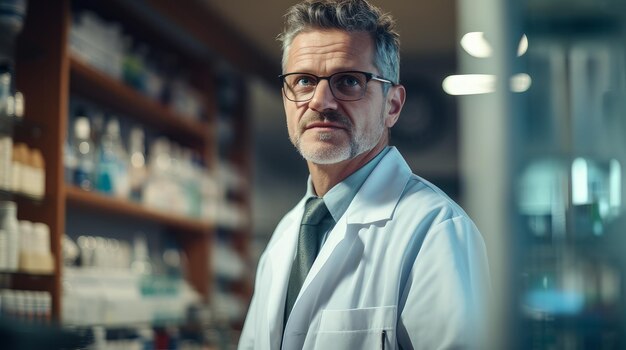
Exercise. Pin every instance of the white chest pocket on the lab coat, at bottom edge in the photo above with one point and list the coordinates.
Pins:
(368, 328)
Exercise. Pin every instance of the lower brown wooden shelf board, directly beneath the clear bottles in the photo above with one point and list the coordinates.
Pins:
(78, 197)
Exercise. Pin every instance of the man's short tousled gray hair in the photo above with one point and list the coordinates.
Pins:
(351, 16)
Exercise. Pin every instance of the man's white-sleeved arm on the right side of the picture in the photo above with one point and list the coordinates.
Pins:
(441, 306)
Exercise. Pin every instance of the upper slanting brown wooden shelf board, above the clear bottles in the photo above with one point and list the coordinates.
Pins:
(88, 82)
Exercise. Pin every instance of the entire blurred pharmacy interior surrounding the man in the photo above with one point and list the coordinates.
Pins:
(144, 163)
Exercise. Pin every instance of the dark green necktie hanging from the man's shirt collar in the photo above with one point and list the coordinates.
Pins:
(315, 222)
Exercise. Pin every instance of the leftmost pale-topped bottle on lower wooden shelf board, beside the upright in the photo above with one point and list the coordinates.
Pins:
(84, 172)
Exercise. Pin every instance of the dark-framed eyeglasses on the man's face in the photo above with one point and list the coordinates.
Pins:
(345, 86)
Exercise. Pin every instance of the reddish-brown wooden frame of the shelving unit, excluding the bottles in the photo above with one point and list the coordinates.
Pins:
(49, 75)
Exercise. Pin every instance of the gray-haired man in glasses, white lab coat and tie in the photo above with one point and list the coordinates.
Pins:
(392, 262)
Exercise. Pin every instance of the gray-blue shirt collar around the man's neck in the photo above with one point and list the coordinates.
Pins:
(338, 198)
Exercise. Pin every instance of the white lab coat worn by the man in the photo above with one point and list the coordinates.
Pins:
(403, 259)
